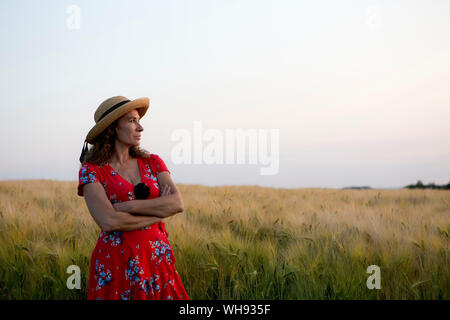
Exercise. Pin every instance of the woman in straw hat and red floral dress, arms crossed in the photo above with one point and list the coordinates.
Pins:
(128, 193)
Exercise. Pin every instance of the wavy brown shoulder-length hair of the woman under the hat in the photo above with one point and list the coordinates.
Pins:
(103, 148)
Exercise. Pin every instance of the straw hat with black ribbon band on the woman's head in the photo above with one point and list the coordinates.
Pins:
(109, 111)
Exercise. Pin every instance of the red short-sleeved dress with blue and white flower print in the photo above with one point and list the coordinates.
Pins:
(135, 264)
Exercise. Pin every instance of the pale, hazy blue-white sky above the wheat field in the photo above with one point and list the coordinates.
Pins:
(359, 90)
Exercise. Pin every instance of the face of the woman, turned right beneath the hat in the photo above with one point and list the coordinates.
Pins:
(129, 130)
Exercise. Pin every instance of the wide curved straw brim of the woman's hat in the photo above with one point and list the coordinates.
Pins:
(141, 104)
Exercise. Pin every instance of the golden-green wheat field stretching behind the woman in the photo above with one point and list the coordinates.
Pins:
(243, 242)
